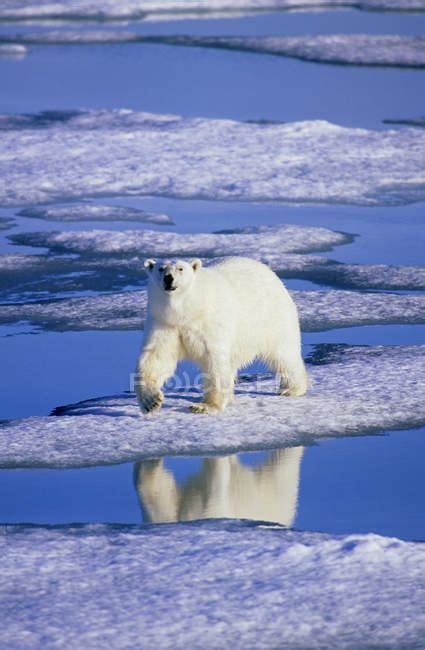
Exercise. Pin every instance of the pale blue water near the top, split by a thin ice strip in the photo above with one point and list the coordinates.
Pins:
(195, 82)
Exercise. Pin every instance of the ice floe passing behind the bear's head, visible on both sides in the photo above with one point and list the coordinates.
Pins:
(26, 278)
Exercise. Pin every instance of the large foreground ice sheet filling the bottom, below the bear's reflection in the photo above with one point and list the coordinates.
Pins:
(208, 585)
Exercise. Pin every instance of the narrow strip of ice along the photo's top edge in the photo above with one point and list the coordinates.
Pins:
(94, 10)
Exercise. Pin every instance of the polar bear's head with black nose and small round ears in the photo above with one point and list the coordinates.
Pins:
(172, 277)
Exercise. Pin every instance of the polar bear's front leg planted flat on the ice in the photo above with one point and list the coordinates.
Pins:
(218, 384)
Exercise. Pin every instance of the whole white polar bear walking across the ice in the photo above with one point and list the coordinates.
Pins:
(221, 317)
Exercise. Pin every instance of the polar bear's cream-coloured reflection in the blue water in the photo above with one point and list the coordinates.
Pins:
(223, 487)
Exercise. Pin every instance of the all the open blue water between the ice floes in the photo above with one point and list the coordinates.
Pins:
(348, 485)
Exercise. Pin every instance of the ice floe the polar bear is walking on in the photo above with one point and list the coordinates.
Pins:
(355, 391)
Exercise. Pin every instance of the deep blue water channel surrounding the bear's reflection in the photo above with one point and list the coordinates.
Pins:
(372, 484)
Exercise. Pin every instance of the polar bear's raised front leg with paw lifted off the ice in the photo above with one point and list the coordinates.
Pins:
(156, 364)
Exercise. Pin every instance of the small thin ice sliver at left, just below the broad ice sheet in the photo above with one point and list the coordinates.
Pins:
(94, 212)
